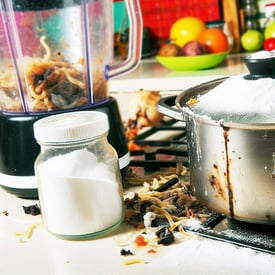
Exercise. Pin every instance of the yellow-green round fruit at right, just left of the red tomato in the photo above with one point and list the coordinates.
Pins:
(252, 40)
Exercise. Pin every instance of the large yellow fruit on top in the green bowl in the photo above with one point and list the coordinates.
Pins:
(186, 29)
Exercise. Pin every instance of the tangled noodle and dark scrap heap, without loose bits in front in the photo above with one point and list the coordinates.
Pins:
(175, 205)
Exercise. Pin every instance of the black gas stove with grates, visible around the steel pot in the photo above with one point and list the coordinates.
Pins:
(164, 146)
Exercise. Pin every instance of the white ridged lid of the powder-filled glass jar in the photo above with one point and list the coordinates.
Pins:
(71, 126)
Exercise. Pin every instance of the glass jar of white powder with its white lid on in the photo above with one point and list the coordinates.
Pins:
(78, 177)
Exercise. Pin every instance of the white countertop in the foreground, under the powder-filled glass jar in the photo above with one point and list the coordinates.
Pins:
(44, 254)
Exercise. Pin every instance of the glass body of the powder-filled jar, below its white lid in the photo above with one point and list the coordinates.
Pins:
(79, 187)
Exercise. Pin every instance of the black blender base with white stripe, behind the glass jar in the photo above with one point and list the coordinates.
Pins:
(18, 147)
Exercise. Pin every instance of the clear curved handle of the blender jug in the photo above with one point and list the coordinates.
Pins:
(135, 42)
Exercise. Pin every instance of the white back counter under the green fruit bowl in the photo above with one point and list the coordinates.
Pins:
(153, 76)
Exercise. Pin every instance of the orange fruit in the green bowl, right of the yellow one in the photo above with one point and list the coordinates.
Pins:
(215, 40)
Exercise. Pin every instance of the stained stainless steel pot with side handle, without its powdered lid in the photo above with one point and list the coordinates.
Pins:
(231, 164)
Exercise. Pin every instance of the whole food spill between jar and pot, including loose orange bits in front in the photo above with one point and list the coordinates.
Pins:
(159, 217)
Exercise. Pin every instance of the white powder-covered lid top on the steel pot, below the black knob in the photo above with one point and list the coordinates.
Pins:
(239, 100)
